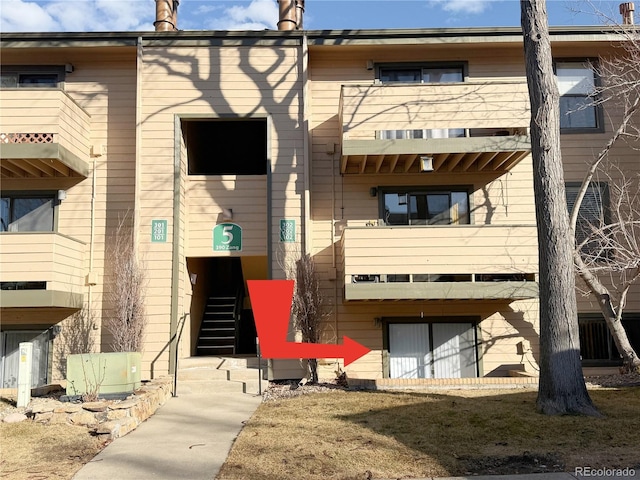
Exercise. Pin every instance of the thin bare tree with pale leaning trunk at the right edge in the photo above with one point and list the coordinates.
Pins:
(613, 251)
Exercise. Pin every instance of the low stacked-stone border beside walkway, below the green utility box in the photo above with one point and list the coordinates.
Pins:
(114, 418)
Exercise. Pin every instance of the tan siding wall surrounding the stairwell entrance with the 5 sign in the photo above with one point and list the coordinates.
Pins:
(201, 82)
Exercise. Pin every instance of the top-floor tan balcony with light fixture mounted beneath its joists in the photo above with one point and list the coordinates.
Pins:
(491, 120)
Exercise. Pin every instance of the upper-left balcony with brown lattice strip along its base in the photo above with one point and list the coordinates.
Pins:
(44, 134)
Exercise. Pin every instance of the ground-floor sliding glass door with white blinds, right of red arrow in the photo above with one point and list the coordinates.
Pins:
(432, 350)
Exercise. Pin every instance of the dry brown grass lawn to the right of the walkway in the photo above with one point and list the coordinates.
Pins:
(346, 435)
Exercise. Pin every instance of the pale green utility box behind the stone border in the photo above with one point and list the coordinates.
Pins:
(103, 373)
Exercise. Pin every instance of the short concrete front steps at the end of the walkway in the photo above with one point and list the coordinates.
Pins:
(220, 374)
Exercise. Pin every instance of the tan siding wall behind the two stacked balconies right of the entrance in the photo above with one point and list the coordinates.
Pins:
(505, 200)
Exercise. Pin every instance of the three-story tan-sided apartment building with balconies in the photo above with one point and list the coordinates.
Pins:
(399, 159)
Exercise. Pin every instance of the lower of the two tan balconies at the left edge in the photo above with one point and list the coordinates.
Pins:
(41, 269)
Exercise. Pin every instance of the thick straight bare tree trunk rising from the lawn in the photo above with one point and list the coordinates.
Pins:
(561, 389)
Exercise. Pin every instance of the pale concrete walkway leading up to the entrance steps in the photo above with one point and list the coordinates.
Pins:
(189, 437)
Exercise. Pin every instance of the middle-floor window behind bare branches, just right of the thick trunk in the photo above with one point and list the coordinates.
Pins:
(592, 214)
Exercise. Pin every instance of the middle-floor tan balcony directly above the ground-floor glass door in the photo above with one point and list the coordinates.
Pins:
(465, 262)
